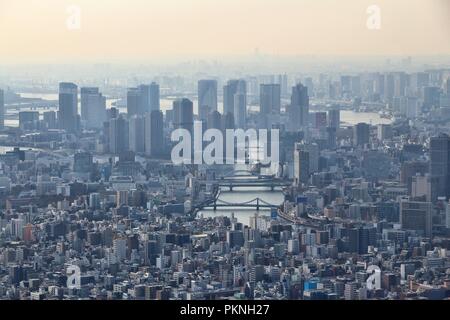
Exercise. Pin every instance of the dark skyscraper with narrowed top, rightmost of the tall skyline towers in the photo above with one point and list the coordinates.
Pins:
(298, 111)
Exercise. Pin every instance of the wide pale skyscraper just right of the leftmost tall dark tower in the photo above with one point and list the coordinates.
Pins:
(93, 107)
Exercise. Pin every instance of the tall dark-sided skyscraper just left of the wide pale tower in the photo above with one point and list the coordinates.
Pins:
(68, 107)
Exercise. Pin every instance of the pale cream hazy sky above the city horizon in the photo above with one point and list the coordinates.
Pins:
(36, 31)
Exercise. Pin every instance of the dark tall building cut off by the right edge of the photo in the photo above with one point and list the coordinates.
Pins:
(440, 166)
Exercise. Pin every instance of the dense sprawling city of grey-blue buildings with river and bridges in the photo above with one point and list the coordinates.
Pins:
(355, 208)
